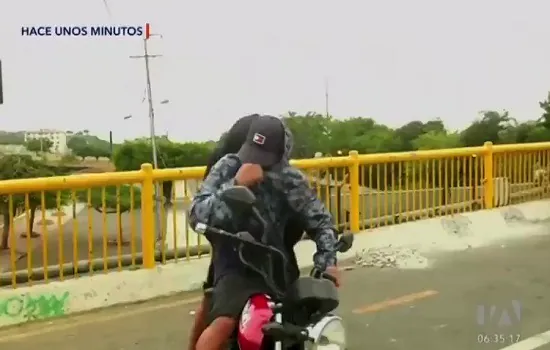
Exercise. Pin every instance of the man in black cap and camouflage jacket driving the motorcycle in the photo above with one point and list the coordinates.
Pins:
(262, 164)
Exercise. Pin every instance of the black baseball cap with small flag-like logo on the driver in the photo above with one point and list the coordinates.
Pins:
(265, 142)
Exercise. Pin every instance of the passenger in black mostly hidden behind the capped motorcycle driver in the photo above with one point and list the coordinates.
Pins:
(231, 142)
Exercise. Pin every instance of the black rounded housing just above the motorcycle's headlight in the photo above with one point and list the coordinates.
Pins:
(316, 295)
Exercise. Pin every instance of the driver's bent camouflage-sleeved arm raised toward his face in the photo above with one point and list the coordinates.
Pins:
(207, 206)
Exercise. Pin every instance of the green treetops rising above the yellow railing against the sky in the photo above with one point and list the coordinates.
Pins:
(314, 132)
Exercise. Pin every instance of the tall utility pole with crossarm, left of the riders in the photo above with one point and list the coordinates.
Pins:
(158, 199)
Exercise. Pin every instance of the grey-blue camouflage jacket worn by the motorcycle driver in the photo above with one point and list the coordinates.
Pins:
(282, 193)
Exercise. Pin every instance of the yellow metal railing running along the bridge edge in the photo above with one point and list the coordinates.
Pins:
(113, 222)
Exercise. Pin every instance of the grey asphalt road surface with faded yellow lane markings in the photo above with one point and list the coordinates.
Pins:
(431, 309)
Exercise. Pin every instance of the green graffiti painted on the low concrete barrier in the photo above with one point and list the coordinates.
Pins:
(34, 306)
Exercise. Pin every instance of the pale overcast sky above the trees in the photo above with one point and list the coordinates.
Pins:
(392, 60)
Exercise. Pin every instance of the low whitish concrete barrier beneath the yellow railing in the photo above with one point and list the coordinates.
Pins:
(449, 233)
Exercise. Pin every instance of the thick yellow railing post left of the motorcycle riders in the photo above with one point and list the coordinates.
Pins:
(147, 217)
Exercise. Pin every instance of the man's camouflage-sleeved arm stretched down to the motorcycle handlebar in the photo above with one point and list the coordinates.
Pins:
(317, 219)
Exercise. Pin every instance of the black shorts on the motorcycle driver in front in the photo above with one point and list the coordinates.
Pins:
(231, 293)
